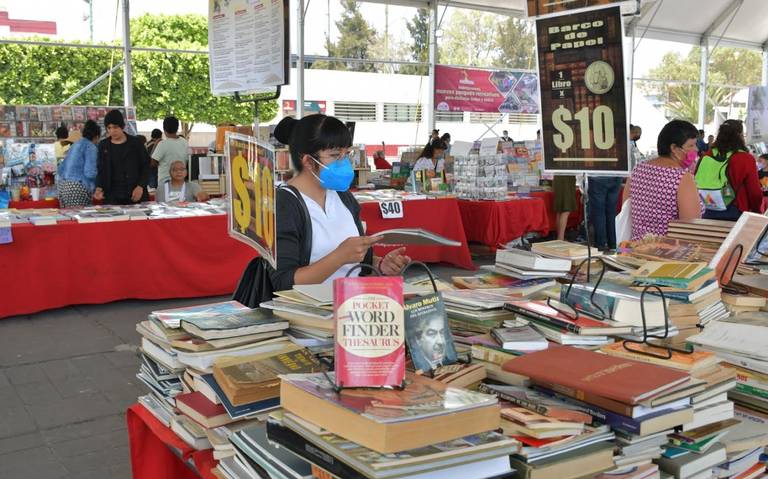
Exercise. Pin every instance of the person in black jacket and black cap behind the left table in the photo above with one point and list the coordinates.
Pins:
(123, 165)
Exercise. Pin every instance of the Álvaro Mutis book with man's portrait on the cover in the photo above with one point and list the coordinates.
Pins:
(427, 333)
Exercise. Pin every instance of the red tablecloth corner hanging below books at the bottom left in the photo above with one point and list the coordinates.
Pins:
(151, 454)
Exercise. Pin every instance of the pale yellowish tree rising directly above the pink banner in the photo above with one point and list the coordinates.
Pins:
(470, 39)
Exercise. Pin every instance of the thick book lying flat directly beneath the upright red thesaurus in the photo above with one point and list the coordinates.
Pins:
(388, 420)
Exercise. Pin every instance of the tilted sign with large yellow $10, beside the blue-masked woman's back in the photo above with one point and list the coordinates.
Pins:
(251, 191)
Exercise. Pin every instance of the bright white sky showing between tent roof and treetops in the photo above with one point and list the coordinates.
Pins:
(72, 21)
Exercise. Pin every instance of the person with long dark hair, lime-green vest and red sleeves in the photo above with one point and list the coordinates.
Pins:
(726, 176)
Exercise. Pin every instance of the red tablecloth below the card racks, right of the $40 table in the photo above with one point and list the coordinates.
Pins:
(495, 223)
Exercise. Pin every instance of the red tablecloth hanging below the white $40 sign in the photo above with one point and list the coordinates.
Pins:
(438, 216)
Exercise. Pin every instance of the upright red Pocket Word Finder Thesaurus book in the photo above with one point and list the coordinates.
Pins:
(370, 331)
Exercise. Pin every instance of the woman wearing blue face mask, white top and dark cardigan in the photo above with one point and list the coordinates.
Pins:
(333, 241)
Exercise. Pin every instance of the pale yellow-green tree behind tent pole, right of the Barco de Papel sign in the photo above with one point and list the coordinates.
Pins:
(731, 66)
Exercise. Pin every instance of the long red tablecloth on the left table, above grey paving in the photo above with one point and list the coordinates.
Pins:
(94, 263)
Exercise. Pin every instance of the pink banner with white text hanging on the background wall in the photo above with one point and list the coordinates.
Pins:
(489, 91)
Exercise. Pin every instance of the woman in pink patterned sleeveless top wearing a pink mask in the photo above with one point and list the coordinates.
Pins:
(663, 189)
